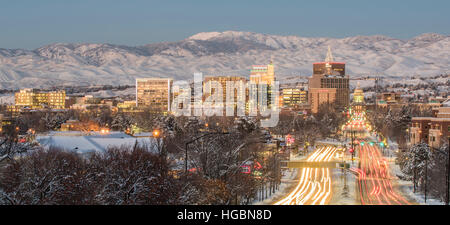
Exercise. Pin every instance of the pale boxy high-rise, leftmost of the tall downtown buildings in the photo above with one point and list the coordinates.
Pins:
(154, 93)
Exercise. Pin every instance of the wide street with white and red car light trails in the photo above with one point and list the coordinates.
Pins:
(372, 177)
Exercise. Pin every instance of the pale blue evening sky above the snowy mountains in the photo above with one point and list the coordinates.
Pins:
(33, 23)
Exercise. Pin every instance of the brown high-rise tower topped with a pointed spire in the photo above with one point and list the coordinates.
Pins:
(329, 84)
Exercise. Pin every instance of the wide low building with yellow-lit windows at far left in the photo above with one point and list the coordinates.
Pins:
(29, 98)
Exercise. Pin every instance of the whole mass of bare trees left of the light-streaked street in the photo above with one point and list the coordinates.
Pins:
(137, 174)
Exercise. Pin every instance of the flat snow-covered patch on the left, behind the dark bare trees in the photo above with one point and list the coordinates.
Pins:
(89, 142)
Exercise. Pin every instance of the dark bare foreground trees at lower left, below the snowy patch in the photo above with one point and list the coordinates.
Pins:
(119, 176)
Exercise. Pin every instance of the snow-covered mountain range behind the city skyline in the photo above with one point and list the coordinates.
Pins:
(220, 53)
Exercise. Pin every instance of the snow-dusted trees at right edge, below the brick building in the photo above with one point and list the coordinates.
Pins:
(427, 168)
